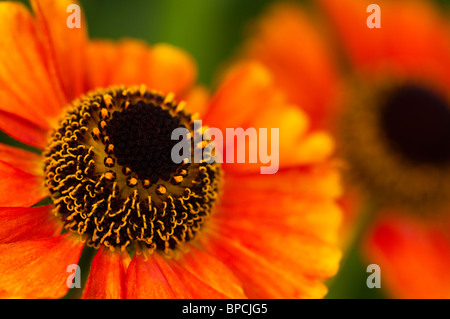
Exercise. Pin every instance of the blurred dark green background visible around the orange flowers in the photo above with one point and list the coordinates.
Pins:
(210, 30)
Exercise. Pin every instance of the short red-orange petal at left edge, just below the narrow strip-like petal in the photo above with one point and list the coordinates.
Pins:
(18, 188)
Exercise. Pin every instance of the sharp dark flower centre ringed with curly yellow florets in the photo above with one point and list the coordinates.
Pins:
(102, 165)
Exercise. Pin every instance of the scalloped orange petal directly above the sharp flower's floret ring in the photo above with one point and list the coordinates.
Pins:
(161, 67)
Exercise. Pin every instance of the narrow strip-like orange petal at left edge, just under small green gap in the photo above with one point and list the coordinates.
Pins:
(21, 159)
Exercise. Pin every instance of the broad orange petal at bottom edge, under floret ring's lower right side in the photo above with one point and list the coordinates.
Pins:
(189, 276)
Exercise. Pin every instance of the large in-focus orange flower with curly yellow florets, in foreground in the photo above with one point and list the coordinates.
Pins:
(157, 231)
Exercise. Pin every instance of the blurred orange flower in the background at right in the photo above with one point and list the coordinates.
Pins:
(391, 116)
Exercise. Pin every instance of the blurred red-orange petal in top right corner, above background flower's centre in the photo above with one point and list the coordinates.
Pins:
(413, 38)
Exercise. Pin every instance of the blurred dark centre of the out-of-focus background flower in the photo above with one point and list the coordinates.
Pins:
(416, 122)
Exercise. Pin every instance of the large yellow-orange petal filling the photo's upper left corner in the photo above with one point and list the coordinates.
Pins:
(26, 86)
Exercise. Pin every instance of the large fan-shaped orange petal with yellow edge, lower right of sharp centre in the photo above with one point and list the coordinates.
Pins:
(279, 240)
